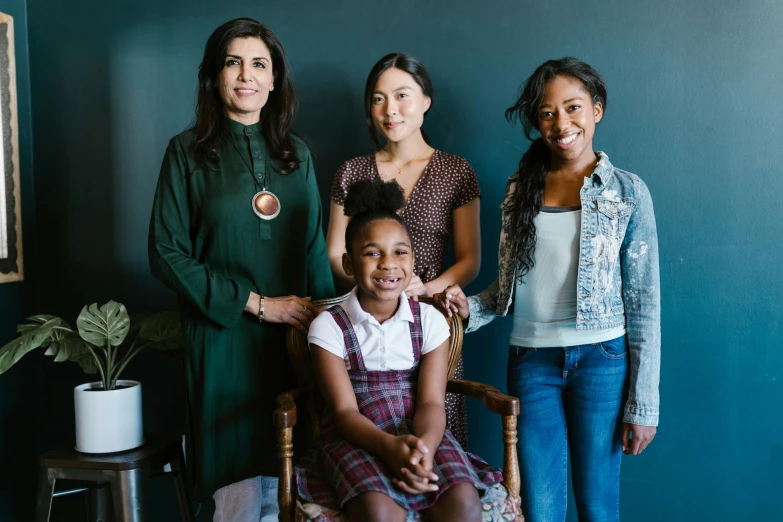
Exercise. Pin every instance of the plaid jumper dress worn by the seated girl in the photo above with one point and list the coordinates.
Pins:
(335, 471)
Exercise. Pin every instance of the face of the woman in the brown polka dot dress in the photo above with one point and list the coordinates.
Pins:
(398, 105)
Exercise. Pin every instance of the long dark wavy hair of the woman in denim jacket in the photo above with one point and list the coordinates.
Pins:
(535, 162)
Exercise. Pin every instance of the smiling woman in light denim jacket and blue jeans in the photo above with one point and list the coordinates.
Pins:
(578, 272)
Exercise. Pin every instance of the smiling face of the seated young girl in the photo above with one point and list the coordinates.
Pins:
(381, 261)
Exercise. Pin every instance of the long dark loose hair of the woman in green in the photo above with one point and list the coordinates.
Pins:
(276, 115)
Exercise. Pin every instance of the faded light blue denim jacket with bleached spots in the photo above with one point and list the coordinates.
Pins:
(618, 281)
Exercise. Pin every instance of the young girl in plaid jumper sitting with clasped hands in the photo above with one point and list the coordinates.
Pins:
(381, 364)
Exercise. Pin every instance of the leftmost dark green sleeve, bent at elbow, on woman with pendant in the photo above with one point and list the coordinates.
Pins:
(217, 296)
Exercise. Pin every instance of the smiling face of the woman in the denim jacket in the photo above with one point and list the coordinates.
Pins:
(566, 119)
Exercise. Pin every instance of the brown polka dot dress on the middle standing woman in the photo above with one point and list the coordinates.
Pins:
(447, 182)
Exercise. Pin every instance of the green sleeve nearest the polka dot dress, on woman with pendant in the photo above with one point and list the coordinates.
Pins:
(320, 284)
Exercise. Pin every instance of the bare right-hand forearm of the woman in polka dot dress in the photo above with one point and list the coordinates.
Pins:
(466, 237)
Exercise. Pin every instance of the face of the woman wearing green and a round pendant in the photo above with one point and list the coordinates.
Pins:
(246, 79)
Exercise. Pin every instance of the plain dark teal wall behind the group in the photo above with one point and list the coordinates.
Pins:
(693, 108)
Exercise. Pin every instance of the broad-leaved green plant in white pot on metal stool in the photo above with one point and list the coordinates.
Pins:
(108, 412)
